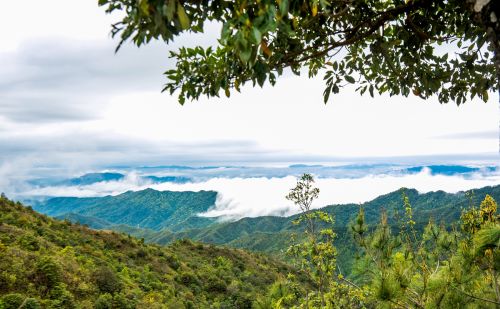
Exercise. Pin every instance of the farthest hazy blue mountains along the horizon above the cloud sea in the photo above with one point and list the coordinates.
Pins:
(185, 174)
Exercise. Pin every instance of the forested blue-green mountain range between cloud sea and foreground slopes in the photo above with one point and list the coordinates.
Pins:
(166, 216)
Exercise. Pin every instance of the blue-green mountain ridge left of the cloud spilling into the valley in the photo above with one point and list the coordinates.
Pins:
(148, 209)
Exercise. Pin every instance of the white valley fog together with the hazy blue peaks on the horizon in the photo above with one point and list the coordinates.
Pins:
(260, 191)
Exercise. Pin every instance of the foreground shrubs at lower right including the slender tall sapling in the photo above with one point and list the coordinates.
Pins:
(399, 267)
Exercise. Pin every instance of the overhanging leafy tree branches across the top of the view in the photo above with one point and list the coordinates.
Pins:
(400, 47)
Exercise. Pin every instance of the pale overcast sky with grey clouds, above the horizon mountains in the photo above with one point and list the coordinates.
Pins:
(68, 103)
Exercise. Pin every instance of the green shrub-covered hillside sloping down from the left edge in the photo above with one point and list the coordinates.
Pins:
(47, 263)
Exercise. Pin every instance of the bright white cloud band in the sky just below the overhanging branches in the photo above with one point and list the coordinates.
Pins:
(291, 118)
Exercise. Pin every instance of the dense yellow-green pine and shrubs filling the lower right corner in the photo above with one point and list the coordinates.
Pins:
(438, 268)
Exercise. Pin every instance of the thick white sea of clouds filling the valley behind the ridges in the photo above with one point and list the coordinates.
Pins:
(259, 196)
